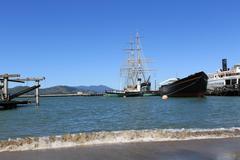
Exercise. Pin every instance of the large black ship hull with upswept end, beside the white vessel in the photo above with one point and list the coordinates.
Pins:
(192, 86)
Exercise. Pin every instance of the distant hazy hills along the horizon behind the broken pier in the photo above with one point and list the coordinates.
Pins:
(65, 89)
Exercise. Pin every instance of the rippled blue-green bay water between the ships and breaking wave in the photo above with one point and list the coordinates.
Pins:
(61, 115)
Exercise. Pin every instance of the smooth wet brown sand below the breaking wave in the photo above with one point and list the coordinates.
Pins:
(208, 149)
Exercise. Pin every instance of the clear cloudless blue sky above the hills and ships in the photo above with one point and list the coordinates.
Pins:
(77, 42)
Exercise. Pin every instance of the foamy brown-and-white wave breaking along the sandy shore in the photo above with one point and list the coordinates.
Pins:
(129, 136)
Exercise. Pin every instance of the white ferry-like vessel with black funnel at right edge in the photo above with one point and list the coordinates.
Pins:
(225, 82)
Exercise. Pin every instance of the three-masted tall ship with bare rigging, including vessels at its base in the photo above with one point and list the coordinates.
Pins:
(134, 73)
